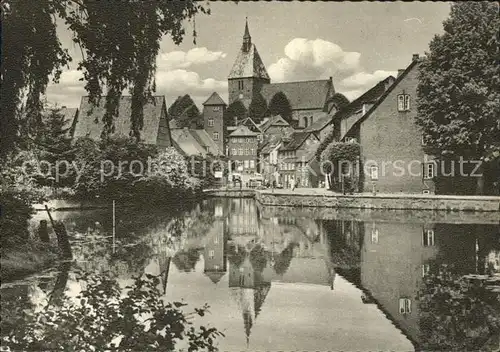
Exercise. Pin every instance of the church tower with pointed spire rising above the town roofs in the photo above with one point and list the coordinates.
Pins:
(248, 74)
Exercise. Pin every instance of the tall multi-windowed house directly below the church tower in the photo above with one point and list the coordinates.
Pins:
(242, 150)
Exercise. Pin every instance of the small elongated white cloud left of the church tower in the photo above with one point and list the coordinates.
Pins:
(182, 59)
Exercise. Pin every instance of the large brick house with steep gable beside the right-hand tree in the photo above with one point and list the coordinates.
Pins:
(393, 158)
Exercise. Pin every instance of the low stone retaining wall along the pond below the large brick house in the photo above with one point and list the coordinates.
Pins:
(364, 201)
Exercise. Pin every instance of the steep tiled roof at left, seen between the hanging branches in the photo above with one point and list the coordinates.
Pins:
(90, 118)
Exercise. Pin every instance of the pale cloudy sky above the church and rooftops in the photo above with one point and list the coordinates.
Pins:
(356, 43)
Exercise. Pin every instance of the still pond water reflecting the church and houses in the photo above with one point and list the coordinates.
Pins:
(297, 279)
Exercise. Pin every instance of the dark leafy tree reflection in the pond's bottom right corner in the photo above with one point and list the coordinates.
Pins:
(456, 313)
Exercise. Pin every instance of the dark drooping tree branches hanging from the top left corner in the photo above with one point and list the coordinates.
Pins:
(119, 42)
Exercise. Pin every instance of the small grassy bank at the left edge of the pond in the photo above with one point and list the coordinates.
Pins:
(16, 263)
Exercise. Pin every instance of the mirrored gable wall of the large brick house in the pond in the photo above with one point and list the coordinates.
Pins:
(393, 263)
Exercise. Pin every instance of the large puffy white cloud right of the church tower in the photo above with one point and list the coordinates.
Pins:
(307, 59)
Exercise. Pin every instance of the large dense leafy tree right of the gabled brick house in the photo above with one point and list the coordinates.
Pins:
(458, 96)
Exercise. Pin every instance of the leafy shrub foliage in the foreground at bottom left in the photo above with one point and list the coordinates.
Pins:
(104, 319)
